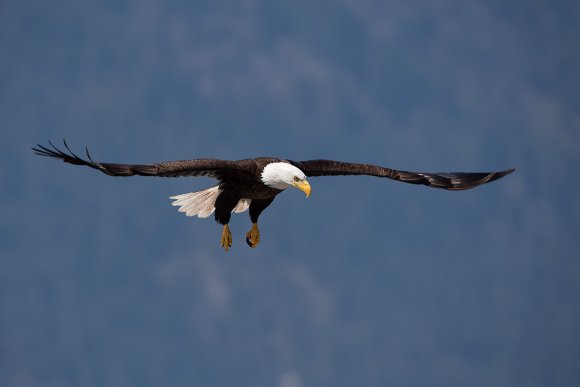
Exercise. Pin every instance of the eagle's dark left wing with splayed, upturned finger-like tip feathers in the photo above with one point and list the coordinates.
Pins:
(198, 167)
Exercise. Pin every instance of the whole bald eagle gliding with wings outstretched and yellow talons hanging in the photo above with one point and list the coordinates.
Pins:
(253, 184)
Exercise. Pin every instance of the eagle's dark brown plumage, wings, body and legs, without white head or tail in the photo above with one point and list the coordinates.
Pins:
(242, 179)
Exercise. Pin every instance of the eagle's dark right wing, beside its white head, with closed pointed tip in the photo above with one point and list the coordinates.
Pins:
(450, 181)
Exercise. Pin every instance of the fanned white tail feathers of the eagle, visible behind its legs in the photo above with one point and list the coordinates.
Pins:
(202, 203)
